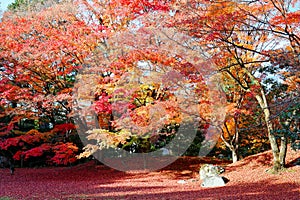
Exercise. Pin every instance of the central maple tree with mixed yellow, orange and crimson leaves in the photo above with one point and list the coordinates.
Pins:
(140, 77)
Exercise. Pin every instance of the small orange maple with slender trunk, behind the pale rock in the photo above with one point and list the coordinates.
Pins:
(241, 131)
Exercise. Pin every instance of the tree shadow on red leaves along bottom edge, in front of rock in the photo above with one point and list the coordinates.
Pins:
(257, 190)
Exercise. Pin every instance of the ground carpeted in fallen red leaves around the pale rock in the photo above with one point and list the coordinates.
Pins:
(247, 180)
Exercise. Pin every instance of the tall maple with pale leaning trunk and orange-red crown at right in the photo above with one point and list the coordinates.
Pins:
(243, 37)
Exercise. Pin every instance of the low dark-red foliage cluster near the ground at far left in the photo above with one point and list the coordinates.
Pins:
(35, 145)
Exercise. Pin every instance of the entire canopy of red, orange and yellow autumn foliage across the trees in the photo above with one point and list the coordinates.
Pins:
(108, 72)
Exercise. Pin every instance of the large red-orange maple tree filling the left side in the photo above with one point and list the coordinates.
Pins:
(39, 61)
